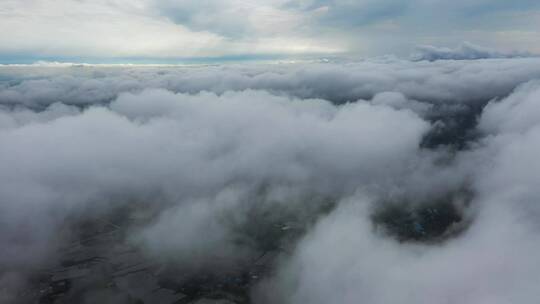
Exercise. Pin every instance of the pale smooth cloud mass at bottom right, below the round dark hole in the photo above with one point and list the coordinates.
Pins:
(343, 261)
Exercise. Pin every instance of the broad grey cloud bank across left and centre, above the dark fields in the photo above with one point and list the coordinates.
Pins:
(202, 155)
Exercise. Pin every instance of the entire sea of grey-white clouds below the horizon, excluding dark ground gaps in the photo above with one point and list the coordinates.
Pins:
(210, 155)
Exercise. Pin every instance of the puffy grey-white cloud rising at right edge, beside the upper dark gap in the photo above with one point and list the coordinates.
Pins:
(513, 138)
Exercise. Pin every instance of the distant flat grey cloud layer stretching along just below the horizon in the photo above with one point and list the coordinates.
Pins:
(448, 81)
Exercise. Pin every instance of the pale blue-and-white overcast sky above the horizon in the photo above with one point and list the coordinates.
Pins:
(111, 31)
